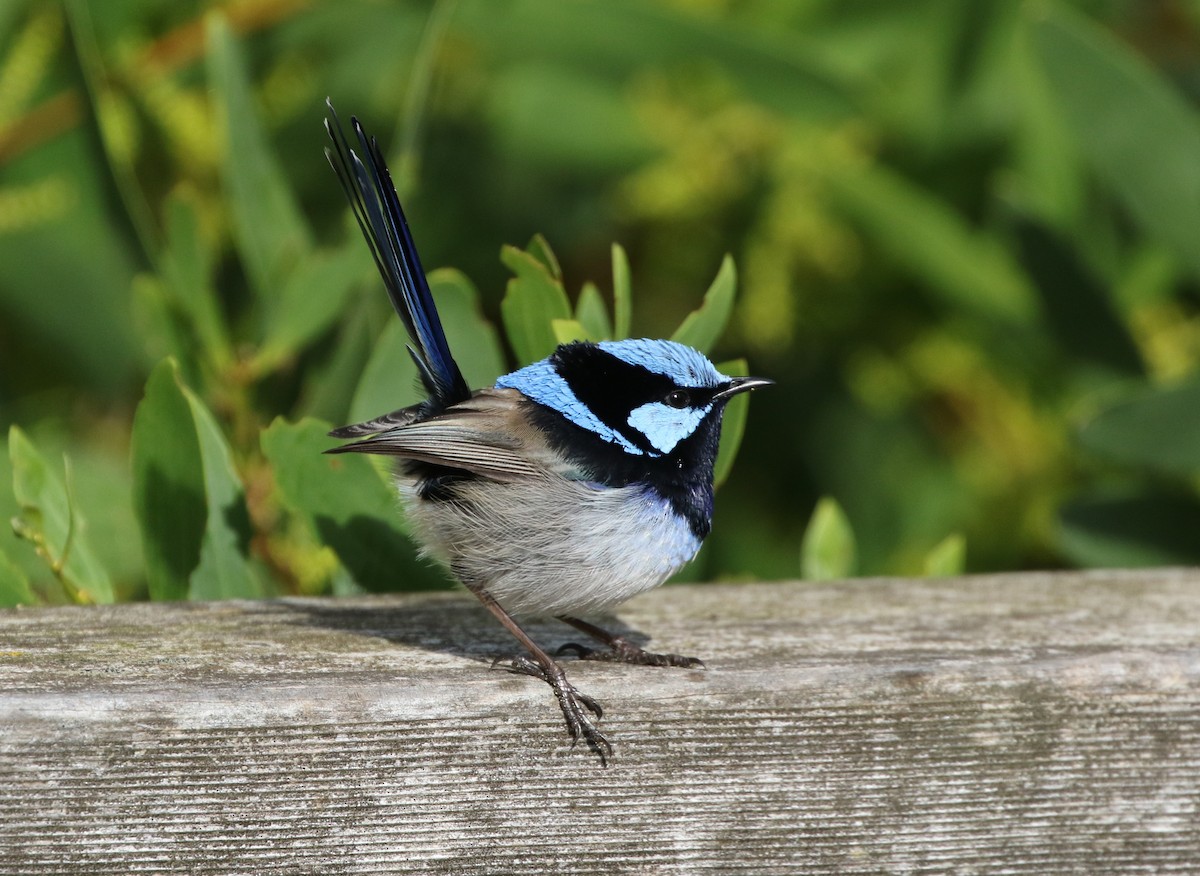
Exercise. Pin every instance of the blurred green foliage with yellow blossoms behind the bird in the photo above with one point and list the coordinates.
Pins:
(965, 241)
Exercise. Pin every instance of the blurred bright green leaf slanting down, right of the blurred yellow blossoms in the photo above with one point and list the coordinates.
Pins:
(967, 268)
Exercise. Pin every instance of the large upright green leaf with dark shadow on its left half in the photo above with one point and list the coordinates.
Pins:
(188, 497)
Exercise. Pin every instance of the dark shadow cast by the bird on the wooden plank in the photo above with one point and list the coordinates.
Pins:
(449, 623)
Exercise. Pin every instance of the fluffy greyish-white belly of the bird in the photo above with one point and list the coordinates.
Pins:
(557, 547)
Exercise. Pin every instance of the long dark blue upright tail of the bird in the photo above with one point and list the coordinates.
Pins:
(373, 196)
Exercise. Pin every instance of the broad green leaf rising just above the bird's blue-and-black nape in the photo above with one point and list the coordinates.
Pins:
(532, 302)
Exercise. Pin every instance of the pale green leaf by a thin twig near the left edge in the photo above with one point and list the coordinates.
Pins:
(52, 523)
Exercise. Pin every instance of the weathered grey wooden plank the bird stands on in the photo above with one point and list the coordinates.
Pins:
(1028, 724)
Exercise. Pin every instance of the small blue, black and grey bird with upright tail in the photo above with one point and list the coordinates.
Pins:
(567, 488)
